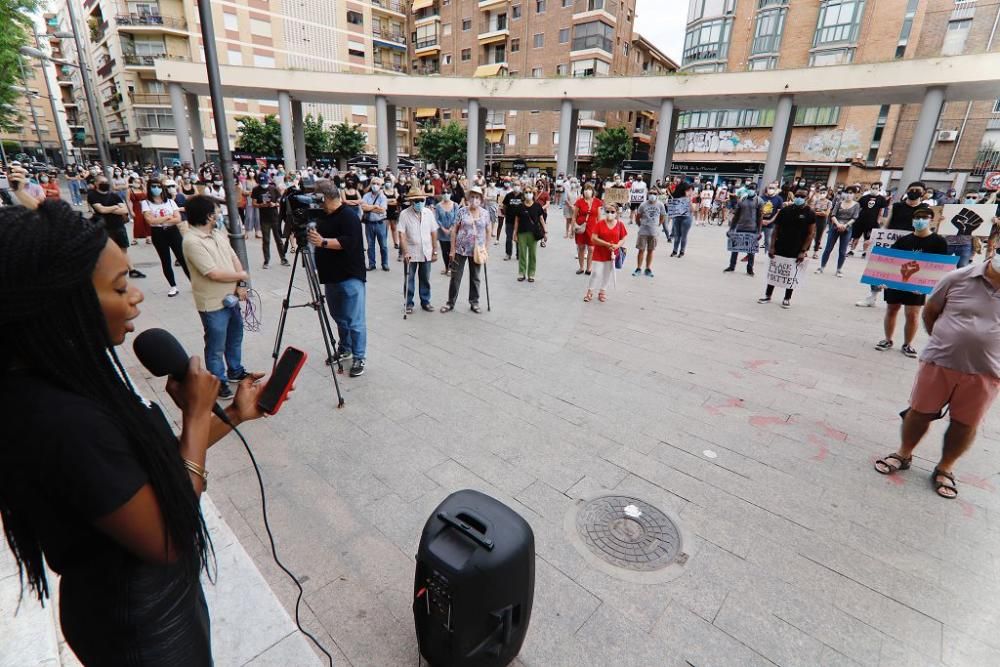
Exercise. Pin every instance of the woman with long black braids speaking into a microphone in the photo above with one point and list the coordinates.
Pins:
(93, 480)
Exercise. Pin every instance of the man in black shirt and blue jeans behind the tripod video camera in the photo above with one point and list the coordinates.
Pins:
(340, 263)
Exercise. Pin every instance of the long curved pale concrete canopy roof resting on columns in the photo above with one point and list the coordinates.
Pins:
(970, 77)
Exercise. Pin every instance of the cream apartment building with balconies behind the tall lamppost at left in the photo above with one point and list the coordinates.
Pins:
(125, 37)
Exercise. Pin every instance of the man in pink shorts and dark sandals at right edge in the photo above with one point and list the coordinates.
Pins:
(959, 368)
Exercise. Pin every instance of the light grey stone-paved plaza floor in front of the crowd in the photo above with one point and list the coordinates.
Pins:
(754, 427)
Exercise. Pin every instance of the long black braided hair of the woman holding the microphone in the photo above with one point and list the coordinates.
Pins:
(51, 323)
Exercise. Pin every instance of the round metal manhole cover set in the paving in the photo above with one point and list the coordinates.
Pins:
(629, 533)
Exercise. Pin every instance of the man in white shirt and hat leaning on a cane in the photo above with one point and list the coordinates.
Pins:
(418, 237)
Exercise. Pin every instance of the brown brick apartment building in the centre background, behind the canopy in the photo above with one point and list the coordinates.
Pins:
(530, 38)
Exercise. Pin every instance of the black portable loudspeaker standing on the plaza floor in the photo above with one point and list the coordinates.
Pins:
(474, 584)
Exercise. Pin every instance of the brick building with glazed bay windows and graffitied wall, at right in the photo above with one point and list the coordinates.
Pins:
(834, 143)
